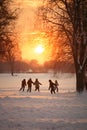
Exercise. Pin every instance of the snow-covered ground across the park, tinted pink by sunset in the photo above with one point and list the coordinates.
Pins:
(65, 110)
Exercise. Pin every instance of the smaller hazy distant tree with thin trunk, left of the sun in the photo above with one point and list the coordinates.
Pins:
(12, 53)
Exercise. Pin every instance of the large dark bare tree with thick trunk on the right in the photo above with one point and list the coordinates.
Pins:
(69, 17)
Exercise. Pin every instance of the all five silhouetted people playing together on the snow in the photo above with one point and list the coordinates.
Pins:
(53, 86)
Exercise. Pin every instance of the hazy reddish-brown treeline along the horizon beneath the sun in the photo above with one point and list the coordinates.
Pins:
(34, 66)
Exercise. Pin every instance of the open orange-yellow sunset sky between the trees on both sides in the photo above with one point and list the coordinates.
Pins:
(31, 34)
